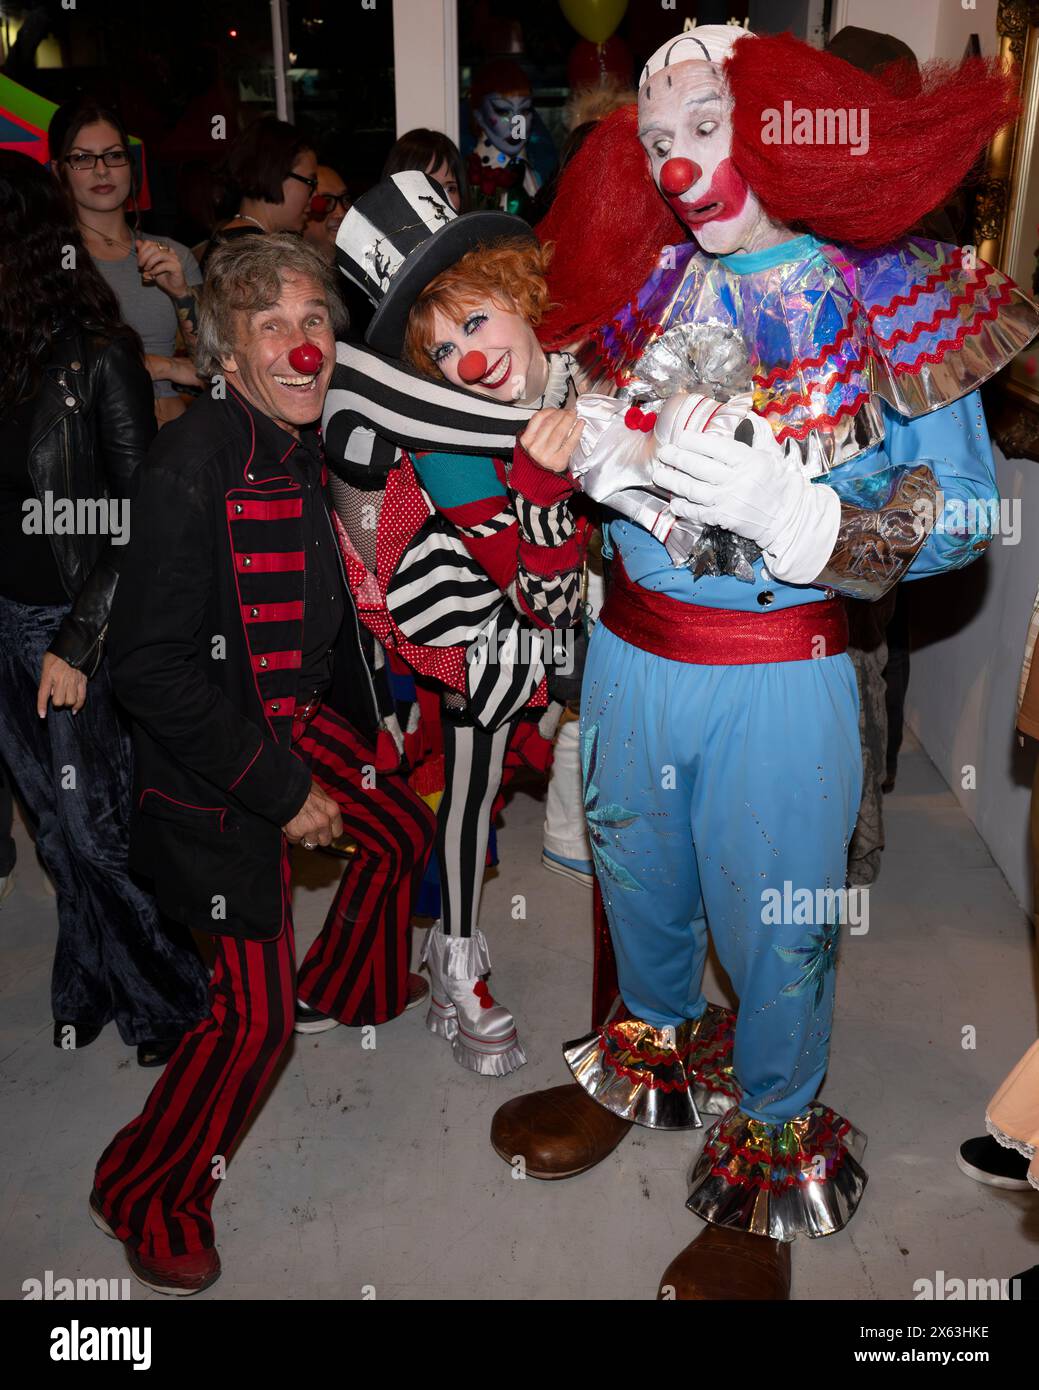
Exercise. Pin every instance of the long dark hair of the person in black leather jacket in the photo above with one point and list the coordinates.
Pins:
(48, 279)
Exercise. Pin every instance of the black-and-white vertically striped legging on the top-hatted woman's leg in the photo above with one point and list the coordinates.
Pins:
(474, 762)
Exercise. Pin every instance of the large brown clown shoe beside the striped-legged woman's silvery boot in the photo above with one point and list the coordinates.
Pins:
(558, 1134)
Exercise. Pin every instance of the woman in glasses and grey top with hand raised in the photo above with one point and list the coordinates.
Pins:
(154, 280)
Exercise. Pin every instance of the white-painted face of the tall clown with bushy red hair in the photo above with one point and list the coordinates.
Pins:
(685, 126)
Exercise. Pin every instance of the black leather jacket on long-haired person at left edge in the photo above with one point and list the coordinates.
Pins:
(92, 422)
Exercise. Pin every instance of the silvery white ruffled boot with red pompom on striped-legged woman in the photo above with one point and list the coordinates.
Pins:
(462, 1010)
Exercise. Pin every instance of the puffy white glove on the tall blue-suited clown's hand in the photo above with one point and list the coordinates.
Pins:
(757, 493)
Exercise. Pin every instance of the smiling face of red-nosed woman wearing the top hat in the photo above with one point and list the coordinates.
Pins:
(499, 344)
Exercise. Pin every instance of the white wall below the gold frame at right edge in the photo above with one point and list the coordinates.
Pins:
(969, 640)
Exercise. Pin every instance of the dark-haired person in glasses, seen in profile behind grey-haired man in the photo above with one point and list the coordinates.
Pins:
(273, 172)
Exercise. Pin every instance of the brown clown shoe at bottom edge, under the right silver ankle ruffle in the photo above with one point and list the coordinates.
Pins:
(730, 1264)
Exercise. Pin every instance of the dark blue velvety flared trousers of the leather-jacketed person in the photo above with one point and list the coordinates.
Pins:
(115, 958)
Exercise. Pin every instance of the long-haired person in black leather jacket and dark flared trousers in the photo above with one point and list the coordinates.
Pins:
(76, 422)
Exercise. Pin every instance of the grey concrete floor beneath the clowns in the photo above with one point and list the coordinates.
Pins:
(371, 1171)
